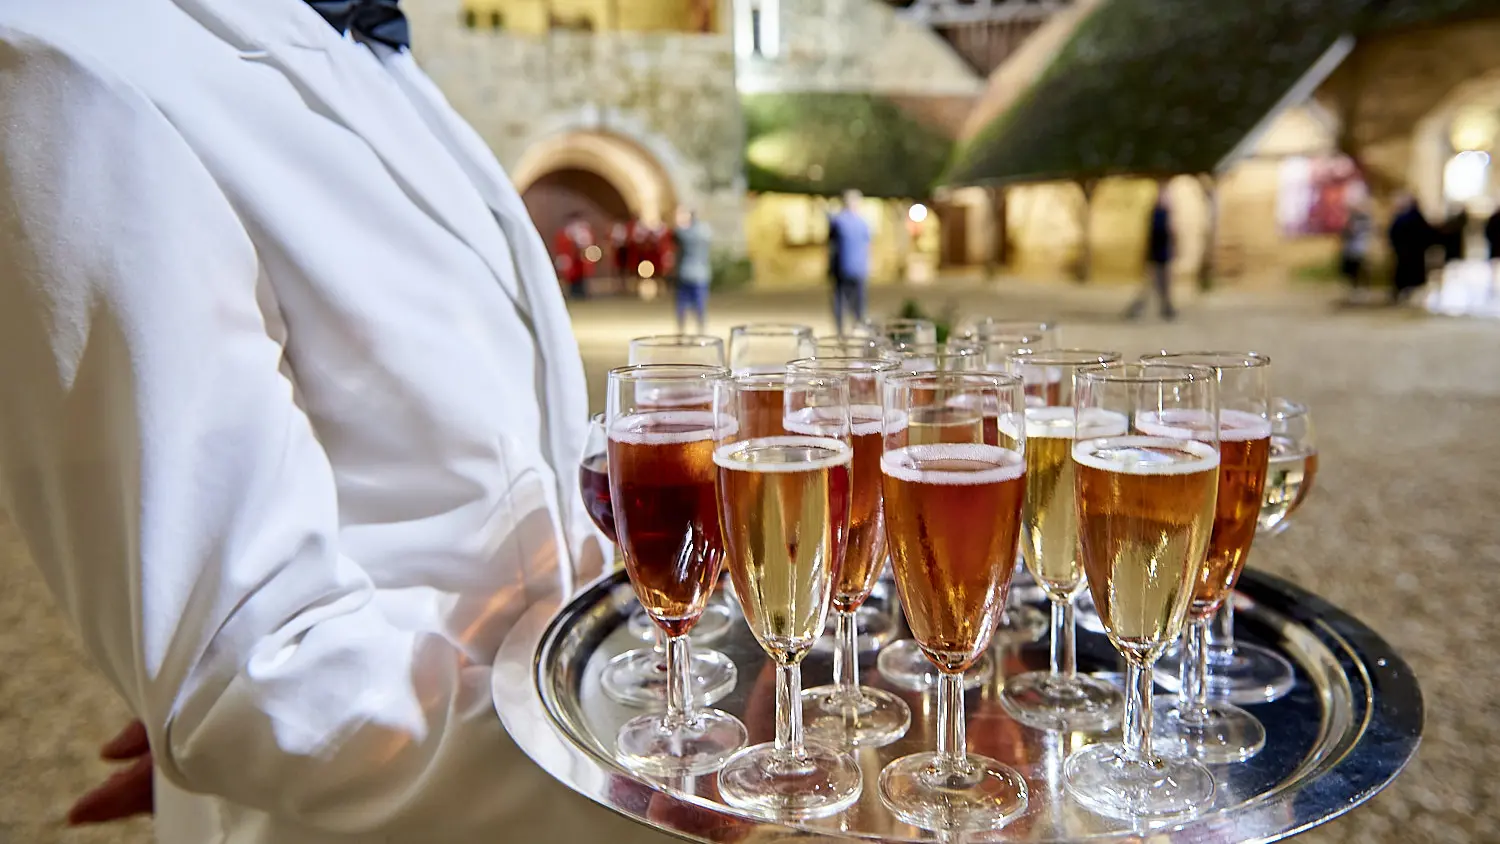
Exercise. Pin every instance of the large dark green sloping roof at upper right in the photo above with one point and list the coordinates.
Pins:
(1168, 88)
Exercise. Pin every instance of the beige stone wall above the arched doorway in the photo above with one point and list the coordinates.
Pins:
(670, 95)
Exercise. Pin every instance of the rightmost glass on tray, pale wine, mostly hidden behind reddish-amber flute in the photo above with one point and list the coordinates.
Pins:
(1246, 674)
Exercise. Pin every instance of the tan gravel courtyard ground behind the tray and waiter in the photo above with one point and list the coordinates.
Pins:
(1402, 530)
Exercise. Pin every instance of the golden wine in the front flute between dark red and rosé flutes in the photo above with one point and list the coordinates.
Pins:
(784, 503)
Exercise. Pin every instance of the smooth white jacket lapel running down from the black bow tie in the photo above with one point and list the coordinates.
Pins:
(347, 83)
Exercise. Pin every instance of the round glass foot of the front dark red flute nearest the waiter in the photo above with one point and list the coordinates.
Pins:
(700, 746)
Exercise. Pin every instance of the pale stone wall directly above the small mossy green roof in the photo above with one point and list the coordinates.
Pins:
(857, 46)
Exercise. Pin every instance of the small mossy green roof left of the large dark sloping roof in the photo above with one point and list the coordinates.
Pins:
(830, 143)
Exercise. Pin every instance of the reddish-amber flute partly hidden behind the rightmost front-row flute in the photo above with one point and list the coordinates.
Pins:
(1217, 731)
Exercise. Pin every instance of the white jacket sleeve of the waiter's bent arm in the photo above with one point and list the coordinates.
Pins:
(178, 500)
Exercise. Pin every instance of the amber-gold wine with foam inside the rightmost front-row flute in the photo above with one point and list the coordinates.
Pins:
(1145, 518)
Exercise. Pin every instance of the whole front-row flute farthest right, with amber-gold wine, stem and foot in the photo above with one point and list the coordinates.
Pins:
(1145, 506)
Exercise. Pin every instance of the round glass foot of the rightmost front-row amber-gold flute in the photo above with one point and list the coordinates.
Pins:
(1105, 780)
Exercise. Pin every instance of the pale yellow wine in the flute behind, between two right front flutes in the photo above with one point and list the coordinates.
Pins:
(1049, 521)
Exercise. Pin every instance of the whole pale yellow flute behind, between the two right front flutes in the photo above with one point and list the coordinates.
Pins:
(1060, 698)
